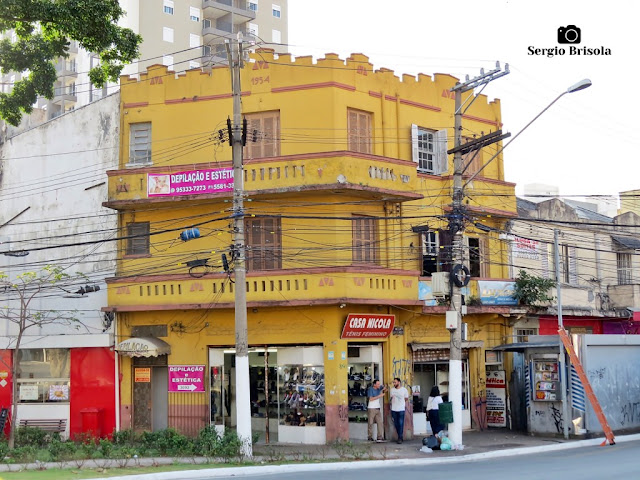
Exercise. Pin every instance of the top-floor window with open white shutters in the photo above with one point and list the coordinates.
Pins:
(429, 150)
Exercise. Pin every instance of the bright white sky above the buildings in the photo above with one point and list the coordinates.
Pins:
(586, 143)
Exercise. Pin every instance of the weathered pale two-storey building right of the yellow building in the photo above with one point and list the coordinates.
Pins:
(598, 266)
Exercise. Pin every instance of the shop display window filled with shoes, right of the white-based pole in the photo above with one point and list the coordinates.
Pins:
(301, 395)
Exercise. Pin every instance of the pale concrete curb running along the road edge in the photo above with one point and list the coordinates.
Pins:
(342, 466)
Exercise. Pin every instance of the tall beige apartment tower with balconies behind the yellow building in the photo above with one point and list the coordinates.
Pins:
(182, 34)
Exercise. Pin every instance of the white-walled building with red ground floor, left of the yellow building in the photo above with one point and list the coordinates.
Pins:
(52, 184)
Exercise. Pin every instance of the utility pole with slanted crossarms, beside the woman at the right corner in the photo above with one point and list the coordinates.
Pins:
(460, 273)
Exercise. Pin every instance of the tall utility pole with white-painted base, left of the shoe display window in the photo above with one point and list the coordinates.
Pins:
(243, 402)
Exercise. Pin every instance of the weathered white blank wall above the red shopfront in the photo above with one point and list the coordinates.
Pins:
(58, 172)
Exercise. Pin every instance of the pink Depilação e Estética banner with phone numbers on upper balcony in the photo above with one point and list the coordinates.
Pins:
(193, 182)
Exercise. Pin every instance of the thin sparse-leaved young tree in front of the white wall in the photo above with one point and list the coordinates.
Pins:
(20, 293)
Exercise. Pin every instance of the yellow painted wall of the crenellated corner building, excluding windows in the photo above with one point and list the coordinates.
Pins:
(312, 98)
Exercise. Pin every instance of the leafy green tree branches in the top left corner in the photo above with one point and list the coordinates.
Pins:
(43, 30)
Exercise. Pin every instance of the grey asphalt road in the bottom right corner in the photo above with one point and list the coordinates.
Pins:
(618, 461)
